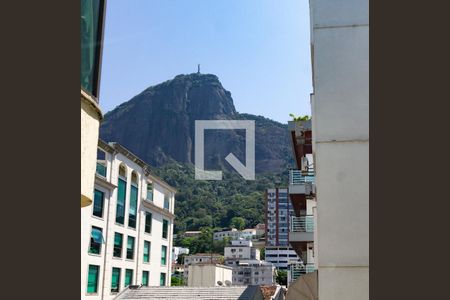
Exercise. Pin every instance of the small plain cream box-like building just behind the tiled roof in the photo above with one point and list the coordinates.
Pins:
(206, 275)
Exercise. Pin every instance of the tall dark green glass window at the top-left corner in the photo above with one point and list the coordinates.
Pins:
(92, 12)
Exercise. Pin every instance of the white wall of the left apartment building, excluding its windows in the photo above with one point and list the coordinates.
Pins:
(105, 260)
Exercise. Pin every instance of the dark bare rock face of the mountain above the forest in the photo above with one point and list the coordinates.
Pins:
(158, 125)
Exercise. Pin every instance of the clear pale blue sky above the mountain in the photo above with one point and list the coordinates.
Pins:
(259, 49)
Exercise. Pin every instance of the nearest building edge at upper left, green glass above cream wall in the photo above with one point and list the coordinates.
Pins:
(91, 30)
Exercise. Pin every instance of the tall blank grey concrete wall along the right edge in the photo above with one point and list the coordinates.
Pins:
(340, 113)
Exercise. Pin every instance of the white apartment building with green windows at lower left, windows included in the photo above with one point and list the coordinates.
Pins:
(126, 234)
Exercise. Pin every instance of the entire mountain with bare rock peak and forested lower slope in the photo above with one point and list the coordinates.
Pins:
(158, 126)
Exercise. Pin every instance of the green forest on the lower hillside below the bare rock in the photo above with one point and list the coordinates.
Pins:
(200, 203)
